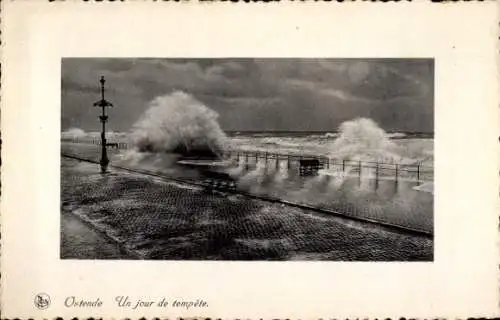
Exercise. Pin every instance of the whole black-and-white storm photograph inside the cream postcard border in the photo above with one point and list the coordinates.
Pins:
(247, 159)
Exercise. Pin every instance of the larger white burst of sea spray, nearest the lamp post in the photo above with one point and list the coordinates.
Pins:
(174, 126)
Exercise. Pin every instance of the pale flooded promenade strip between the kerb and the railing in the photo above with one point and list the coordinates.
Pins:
(389, 202)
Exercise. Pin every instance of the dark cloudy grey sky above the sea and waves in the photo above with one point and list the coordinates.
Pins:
(257, 94)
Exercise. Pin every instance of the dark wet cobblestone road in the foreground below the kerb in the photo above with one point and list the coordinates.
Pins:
(154, 219)
